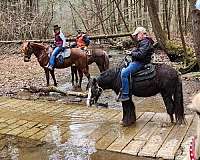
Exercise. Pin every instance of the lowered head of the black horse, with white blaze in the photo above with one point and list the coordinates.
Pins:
(94, 92)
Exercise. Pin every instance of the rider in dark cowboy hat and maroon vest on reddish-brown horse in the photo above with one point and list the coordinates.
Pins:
(60, 42)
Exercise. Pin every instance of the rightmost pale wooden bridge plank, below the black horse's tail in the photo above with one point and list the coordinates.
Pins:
(173, 141)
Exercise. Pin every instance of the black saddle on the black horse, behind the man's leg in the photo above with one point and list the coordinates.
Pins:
(147, 73)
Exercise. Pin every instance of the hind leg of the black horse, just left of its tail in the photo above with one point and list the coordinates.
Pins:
(169, 103)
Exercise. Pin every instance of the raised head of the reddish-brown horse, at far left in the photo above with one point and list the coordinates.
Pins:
(27, 51)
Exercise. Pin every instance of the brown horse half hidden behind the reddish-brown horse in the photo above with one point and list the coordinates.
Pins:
(99, 56)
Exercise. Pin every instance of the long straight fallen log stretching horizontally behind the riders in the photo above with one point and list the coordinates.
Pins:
(69, 39)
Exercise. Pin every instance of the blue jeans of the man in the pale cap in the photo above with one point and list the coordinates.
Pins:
(133, 67)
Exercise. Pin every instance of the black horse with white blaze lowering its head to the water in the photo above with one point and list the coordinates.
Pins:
(167, 82)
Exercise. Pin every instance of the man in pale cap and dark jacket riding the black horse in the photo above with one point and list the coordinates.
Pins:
(140, 56)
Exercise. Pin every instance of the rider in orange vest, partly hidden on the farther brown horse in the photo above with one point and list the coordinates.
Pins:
(82, 40)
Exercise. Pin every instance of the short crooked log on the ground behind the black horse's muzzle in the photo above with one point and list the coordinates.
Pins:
(34, 89)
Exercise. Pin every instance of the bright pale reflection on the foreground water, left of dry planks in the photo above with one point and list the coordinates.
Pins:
(77, 147)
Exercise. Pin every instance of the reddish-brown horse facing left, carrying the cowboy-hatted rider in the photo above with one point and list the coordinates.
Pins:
(42, 51)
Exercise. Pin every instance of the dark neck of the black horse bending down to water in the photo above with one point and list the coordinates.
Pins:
(111, 82)
